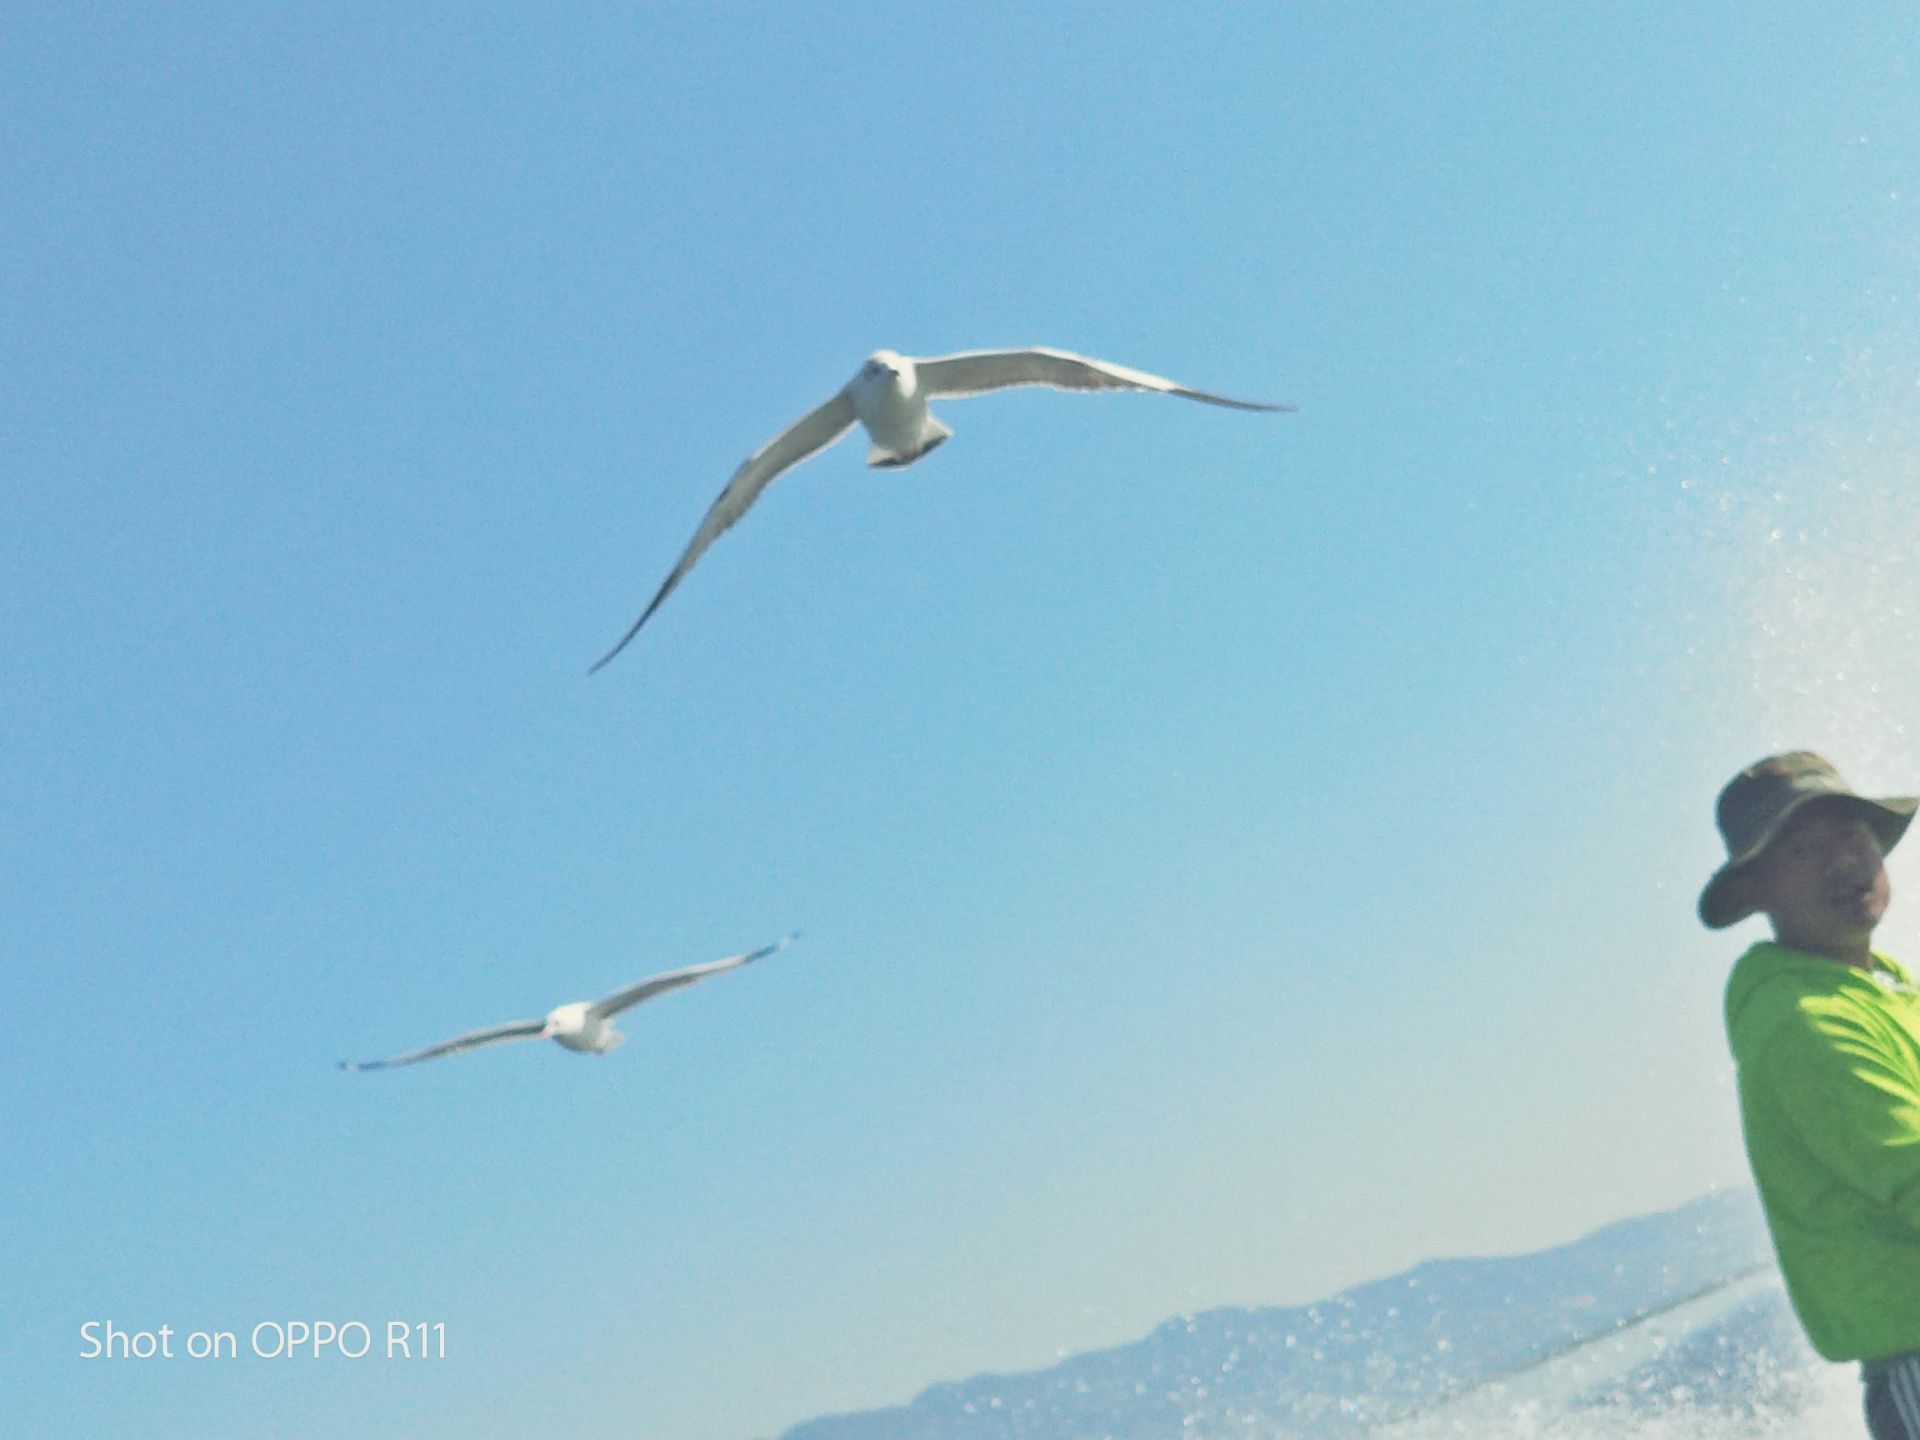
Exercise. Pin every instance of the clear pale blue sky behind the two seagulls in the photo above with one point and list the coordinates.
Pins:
(1237, 855)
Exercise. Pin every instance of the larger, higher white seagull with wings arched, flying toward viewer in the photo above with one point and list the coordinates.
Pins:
(890, 398)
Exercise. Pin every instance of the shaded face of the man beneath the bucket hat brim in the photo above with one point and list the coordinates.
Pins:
(1823, 882)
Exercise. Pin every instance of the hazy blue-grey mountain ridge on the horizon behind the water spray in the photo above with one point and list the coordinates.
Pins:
(1399, 1349)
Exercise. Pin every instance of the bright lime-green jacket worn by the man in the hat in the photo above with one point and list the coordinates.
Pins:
(1831, 1103)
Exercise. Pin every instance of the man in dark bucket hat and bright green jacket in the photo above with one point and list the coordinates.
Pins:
(1827, 1040)
